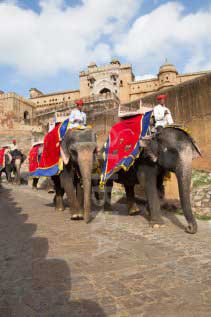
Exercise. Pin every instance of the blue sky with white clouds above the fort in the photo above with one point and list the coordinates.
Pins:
(44, 44)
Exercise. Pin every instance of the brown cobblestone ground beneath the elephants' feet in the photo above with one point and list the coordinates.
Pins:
(115, 266)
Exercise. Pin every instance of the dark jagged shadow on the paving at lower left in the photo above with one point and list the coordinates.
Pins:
(30, 283)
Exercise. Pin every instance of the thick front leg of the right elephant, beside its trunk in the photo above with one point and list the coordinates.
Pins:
(152, 195)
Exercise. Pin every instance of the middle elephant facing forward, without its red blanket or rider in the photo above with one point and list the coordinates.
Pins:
(78, 150)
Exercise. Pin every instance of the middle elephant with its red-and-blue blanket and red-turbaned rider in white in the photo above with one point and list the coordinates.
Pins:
(69, 153)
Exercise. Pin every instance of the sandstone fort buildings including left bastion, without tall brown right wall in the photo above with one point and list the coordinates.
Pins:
(98, 85)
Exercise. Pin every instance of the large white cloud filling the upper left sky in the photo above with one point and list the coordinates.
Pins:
(60, 37)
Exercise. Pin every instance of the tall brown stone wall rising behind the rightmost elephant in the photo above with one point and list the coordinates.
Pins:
(190, 104)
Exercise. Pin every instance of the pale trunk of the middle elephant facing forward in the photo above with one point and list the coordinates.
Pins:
(85, 160)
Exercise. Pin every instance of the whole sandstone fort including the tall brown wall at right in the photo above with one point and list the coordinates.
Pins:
(103, 88)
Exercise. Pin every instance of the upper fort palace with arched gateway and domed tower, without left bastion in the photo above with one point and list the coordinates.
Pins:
(115, 78)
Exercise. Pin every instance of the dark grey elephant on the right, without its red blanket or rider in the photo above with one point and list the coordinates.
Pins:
(170, 150)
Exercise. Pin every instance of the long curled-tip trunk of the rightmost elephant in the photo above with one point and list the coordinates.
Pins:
(183, 174)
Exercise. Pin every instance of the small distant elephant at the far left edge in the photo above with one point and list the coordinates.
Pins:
(13, 162)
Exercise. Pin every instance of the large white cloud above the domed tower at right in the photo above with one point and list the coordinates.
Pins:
(168, 32)
